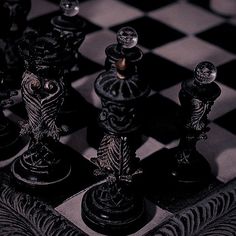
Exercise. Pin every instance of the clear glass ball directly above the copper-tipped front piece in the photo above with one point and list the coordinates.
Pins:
(127, 37)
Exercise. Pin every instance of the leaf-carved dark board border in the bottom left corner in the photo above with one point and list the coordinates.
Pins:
(22, 215)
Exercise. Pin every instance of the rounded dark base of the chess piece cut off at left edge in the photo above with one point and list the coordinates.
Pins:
(10, 142)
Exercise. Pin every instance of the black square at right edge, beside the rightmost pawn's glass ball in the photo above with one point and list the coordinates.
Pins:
(225, 74)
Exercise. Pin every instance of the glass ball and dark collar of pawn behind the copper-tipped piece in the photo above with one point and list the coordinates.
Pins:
(127, 39)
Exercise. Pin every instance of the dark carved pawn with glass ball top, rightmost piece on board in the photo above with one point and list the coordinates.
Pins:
(196, 96)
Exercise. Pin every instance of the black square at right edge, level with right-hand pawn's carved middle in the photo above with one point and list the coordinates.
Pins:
(227, 121)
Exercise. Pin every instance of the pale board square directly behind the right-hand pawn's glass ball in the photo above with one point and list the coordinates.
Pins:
(189, 51)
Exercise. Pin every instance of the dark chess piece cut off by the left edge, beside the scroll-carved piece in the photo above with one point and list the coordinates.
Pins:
(10, 141)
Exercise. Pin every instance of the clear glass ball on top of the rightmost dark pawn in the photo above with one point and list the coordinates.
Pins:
(205, 72)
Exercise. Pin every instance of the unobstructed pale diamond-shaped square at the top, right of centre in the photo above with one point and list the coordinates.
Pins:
(188, 18)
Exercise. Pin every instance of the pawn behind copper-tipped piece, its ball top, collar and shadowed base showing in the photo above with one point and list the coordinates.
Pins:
(126, 47)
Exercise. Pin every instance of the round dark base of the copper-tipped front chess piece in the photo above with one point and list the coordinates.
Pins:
(112, 210)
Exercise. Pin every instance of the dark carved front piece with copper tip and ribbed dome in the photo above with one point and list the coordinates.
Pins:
(116, 207)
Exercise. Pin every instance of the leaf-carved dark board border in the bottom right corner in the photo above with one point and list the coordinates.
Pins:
(214, 216)
